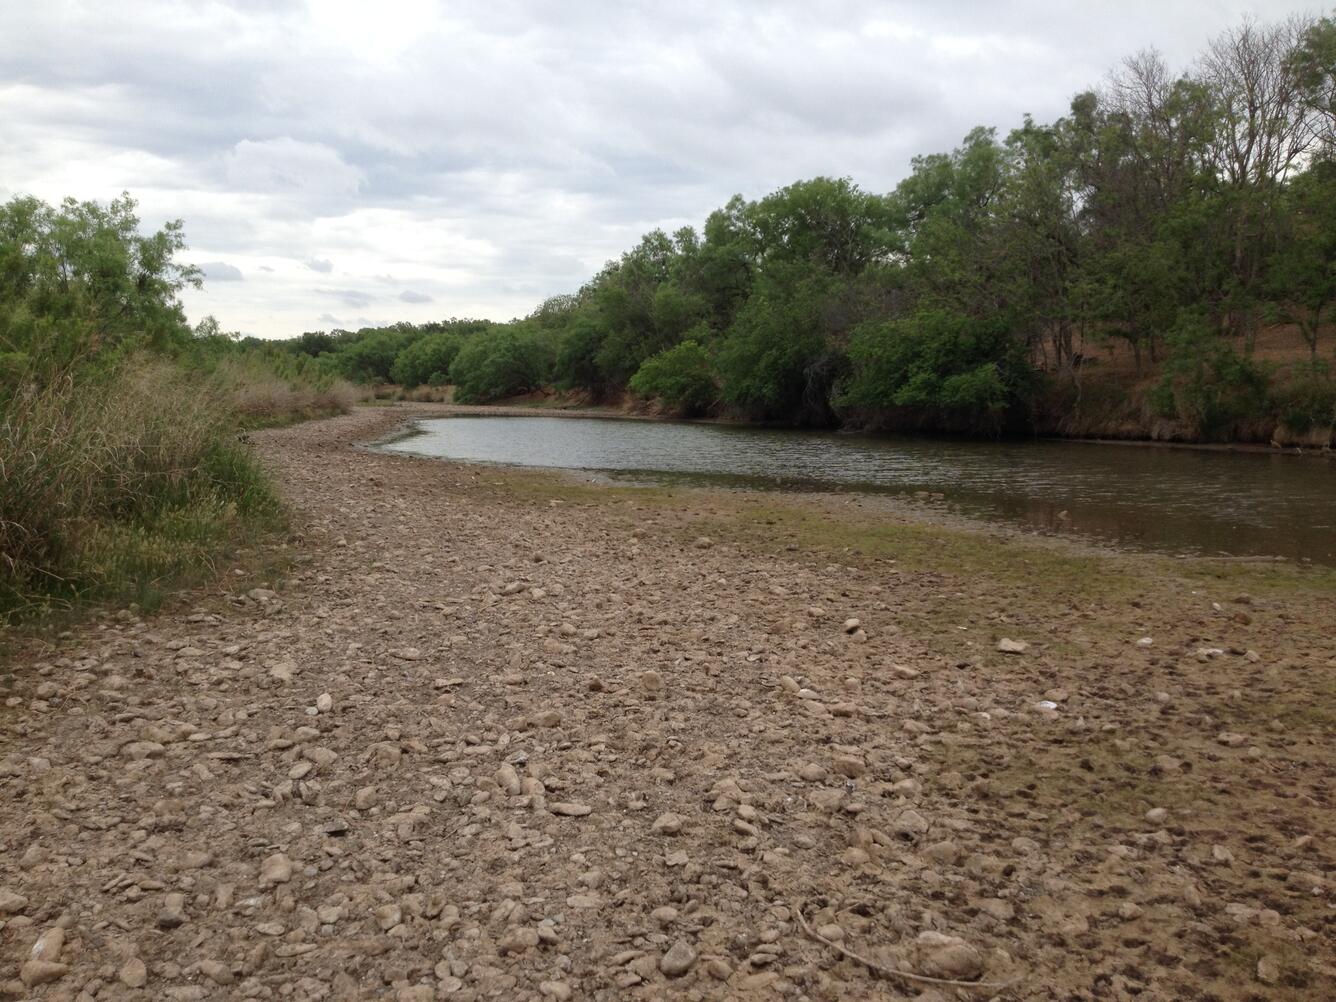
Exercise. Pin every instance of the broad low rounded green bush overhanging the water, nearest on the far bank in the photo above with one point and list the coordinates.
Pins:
(939, 364)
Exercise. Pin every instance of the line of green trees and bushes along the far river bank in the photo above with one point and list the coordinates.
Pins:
(1176, 214)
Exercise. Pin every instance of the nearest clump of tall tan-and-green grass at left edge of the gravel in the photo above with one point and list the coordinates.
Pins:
(121, 486)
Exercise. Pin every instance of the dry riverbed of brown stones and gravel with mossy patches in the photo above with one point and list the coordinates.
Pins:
(503, 735)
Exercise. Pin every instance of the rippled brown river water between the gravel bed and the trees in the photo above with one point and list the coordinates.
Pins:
(1167, 500)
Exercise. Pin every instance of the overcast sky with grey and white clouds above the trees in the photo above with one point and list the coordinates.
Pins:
(352, 162)
